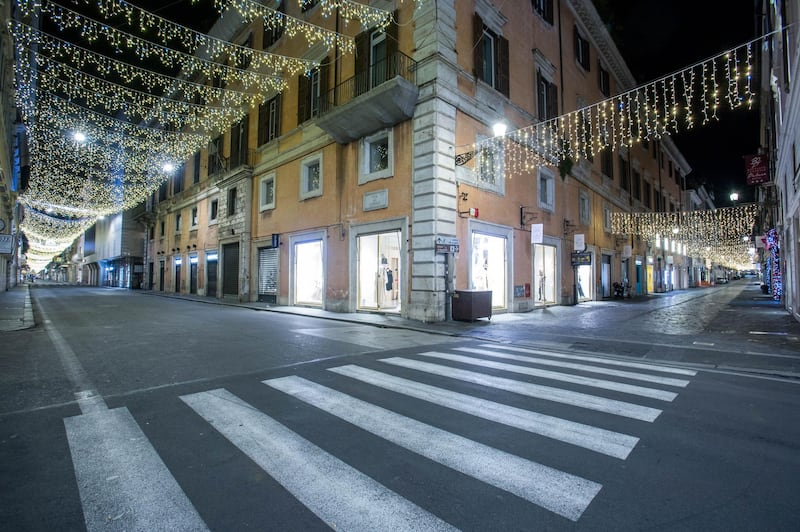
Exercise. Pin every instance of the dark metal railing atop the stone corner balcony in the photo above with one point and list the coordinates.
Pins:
(397, 64)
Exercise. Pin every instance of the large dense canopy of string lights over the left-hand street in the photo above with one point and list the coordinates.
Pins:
(114, 97)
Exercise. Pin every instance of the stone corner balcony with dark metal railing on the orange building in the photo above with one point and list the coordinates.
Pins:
(380, 97)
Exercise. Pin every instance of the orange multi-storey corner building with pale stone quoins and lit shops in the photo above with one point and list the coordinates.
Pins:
(363, 187)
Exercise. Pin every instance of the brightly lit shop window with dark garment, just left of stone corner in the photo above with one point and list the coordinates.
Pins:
(379, 272)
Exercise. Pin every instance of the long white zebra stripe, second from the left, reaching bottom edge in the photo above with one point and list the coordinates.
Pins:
(338, 494)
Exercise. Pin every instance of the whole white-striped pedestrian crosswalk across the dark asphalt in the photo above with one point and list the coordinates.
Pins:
(577, 403)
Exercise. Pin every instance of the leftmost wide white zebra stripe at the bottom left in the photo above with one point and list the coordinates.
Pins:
(123, 483)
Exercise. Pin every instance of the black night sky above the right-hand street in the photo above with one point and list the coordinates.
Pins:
(657, 38)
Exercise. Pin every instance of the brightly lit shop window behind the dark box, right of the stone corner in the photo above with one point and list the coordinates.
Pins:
(488, 268)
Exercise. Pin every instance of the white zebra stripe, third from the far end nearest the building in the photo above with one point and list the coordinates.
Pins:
(554, 375)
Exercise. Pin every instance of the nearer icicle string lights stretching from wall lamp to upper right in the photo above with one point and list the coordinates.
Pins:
(678, 101)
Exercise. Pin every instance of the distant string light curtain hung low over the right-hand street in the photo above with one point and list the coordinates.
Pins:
(721, 235)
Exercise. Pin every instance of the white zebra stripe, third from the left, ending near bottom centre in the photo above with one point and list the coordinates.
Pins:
(560, 492)
